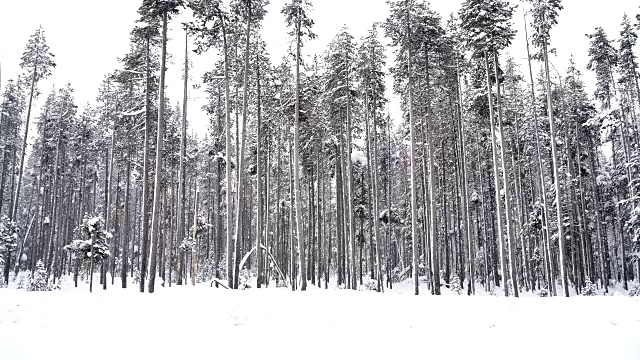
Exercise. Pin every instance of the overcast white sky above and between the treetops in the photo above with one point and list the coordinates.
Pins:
(87, 37)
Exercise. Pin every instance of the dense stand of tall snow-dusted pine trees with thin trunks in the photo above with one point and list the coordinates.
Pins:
(501, 176)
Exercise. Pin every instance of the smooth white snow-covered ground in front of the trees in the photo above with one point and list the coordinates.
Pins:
(201, 322)
